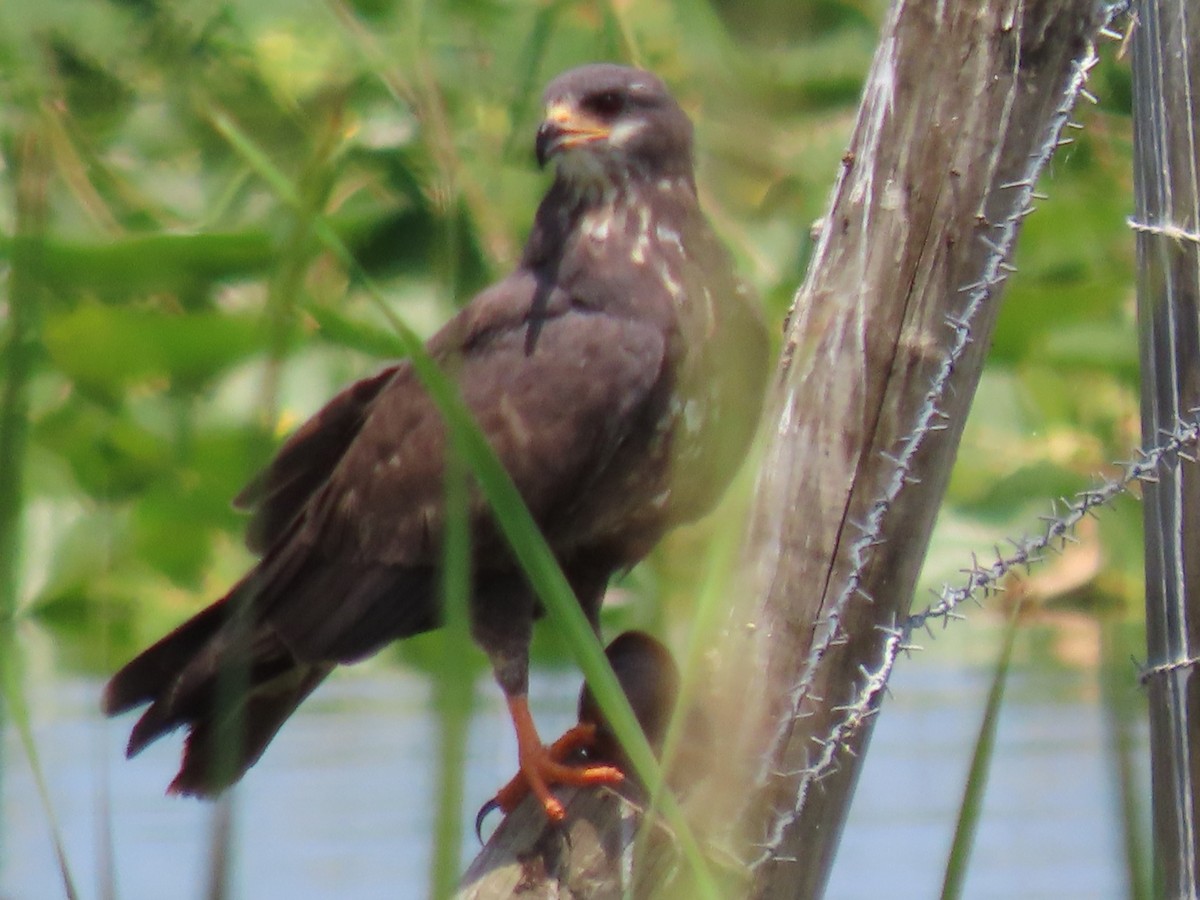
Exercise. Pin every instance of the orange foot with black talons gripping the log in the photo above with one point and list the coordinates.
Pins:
(545, 766)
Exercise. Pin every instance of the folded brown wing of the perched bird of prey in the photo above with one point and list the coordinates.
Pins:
(358, 568)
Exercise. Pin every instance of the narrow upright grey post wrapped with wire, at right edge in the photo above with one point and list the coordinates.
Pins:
(1166, 46)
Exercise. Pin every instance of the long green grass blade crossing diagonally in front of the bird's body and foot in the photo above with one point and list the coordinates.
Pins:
(513, 518)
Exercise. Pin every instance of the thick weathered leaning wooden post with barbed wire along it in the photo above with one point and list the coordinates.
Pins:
(963, 109)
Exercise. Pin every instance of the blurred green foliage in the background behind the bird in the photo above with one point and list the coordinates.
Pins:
(181, 317)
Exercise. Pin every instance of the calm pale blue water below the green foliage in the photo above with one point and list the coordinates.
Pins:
(341, 806)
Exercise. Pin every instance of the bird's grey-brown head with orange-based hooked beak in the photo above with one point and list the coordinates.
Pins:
(603, 122)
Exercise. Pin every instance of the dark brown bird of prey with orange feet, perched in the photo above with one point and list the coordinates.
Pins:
(617, 374)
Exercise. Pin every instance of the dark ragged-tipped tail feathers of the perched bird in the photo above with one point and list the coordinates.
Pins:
(235, 673)
